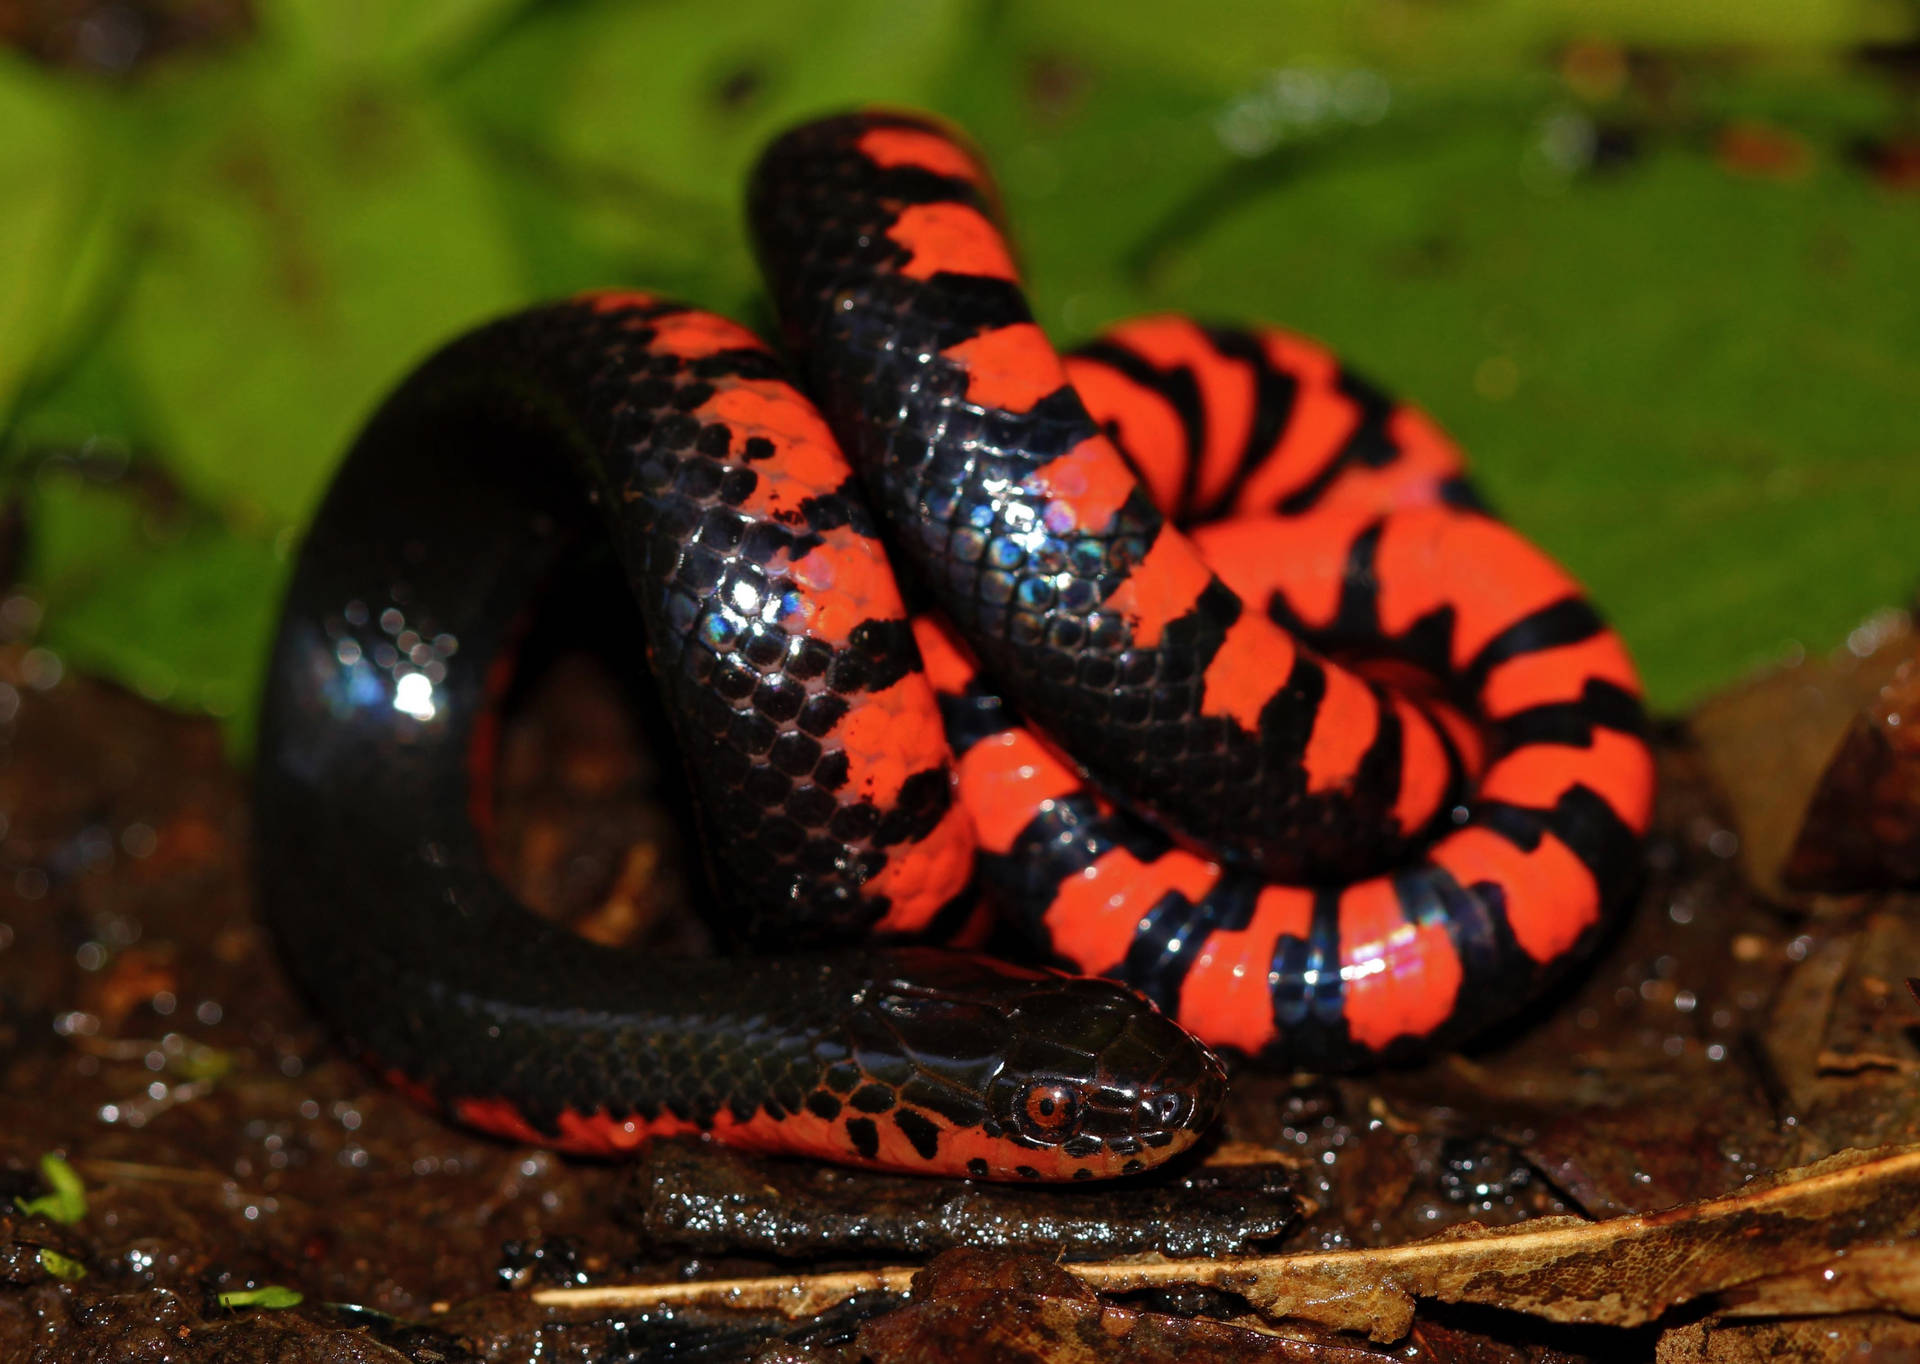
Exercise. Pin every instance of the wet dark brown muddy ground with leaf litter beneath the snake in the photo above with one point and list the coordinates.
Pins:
(224, 1146)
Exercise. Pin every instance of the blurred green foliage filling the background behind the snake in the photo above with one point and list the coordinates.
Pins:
(1687, 370)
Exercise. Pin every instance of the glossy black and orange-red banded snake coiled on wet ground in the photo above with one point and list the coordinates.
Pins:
(1189, 656)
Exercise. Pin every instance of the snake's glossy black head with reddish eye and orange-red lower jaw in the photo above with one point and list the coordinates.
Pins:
(1028, 1075)
